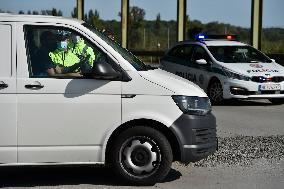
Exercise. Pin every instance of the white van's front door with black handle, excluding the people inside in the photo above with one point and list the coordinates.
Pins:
(61, 119)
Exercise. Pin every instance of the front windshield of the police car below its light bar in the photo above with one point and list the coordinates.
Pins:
(238, 54)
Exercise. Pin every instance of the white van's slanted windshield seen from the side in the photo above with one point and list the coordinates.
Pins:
(132, 59)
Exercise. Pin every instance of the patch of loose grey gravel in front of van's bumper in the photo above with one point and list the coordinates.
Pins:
(245, 150)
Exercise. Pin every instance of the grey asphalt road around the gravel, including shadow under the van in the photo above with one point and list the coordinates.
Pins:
(238, 118)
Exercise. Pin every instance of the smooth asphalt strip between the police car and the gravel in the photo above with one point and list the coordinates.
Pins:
(249, 118)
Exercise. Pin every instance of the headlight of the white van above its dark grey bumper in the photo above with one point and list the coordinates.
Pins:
(193, 104)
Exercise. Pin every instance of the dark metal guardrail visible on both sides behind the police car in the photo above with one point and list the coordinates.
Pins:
(279, 58)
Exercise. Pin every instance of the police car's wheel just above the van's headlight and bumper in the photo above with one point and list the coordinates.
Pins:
(215, 92)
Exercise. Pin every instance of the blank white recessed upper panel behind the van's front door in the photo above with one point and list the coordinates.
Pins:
(5, 52)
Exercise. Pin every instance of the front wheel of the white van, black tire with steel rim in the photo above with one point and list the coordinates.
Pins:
(141, 155)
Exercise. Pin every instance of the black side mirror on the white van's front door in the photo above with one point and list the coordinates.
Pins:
(103, 70)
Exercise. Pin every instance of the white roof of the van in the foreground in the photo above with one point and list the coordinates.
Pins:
(7, 17)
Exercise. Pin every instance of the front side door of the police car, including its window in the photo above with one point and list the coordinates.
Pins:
(201, 66)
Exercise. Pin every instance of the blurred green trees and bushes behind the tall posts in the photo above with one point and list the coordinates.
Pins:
(159, 35)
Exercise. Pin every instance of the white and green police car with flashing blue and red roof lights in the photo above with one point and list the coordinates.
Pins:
(226, 69)
